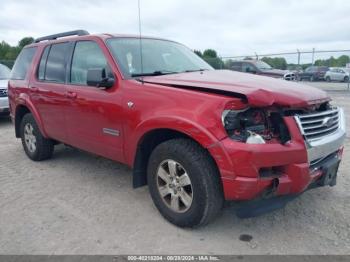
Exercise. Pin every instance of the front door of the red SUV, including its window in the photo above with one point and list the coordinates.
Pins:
(94, 118)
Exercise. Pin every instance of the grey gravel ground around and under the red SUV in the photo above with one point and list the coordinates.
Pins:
(78, 203)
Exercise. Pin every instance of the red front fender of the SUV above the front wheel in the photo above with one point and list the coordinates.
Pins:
(196, 114)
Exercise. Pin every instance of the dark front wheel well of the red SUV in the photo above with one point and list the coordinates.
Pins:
(144, 149)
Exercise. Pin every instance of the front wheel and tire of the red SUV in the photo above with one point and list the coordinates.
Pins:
(204, 184)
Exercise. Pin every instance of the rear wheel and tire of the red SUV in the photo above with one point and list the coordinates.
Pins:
(36, 146)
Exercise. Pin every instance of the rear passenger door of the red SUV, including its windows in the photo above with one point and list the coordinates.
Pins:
(48, 90)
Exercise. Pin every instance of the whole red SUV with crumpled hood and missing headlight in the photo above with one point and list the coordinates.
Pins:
(195, 135)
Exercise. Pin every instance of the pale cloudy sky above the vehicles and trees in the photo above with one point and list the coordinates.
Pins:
(232, 27)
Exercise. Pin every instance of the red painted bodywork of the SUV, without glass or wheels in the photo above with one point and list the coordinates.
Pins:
(76, 115)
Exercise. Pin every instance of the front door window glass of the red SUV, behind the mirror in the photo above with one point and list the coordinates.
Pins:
(87, 55)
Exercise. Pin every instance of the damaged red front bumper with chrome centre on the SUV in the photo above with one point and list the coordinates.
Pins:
(267, 170)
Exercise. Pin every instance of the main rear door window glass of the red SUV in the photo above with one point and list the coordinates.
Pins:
(56, 63)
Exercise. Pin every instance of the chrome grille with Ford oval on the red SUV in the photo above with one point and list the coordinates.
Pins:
(317, 125)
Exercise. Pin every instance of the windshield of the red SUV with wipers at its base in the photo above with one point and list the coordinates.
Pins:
(158, 57)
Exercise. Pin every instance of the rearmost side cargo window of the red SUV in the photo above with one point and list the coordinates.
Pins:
(22, 64)
